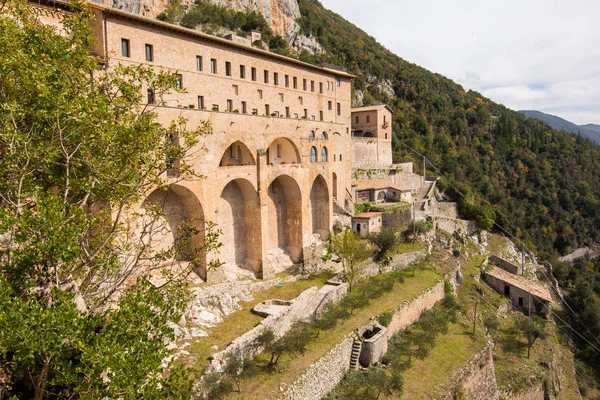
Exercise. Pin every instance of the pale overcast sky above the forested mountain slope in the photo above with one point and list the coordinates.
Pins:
(527, 55)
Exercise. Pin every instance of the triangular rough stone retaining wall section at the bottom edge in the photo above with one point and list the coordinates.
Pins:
(477, 380)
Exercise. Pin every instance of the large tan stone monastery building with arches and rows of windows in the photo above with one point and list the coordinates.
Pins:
(284, 142)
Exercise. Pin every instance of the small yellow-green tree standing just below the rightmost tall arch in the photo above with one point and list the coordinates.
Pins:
(352, 251)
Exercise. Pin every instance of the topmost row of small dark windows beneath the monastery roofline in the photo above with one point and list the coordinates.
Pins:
(287, 80)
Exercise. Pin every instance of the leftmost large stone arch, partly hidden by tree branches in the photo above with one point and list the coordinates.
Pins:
(173, 220)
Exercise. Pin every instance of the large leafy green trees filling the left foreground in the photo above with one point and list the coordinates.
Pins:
(78, 149)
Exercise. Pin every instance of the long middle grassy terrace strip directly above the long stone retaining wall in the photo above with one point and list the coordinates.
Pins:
(266, 385)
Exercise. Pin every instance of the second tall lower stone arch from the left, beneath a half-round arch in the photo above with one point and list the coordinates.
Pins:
(239, 218)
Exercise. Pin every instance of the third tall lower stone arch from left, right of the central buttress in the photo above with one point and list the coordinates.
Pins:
(285, 218)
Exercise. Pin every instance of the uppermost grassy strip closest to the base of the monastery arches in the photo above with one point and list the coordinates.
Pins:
(240, 322)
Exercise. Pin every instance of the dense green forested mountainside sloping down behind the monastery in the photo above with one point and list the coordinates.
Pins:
(541, 184)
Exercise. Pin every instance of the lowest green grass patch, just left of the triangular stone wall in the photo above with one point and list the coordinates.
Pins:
(451, 352)
